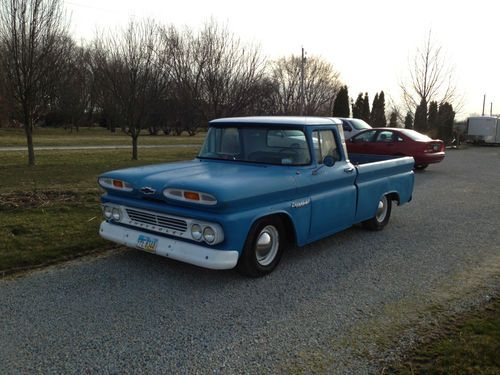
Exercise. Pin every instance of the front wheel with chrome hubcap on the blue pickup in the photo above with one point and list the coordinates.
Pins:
(263, 248)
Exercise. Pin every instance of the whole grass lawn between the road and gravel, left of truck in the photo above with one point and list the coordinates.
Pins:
(51, 211)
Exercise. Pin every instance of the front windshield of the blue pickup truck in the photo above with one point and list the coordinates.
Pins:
(258, 145)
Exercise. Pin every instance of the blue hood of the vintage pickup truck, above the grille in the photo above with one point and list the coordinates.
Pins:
(235, 185)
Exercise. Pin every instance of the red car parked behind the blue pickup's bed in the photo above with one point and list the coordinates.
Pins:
(396, 141)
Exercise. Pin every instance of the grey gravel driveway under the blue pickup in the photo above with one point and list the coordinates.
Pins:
(132, 312)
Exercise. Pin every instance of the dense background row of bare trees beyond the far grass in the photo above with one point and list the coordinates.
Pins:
(162, 78)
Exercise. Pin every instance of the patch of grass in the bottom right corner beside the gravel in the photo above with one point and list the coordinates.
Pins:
(468, 344)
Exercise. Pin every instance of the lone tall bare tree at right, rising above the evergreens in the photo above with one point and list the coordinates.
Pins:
(431, 77)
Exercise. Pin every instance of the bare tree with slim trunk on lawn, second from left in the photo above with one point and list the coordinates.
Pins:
(128, 69)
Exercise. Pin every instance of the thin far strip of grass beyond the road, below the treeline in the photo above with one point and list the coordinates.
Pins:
(90, 137)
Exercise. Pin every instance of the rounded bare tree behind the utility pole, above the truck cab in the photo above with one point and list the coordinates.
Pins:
(322, 84)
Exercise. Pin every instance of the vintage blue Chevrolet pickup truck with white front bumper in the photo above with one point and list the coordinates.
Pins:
(258, 185)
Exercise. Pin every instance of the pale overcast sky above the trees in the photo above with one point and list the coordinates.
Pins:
(368, 42)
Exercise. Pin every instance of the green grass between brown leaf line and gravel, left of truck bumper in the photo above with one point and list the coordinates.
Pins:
(30, 237)
